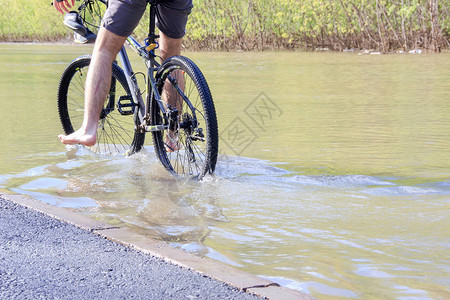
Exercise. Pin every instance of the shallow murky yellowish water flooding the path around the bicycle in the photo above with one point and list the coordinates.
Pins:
(333, 177)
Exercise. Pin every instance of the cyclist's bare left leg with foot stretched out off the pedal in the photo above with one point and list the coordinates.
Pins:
(98, 82)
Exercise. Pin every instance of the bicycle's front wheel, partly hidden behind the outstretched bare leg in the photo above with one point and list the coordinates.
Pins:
(116, 132)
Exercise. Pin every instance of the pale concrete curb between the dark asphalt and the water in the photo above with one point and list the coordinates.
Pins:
(208, 267)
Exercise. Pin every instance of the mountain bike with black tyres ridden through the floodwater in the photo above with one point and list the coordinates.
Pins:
(191, 127)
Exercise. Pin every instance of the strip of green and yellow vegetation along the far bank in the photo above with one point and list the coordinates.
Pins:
(273, 24)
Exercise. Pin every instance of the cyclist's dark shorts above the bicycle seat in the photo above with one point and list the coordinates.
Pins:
(122, 16)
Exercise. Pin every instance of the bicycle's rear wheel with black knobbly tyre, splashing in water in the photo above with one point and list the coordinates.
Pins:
(189, 146)
